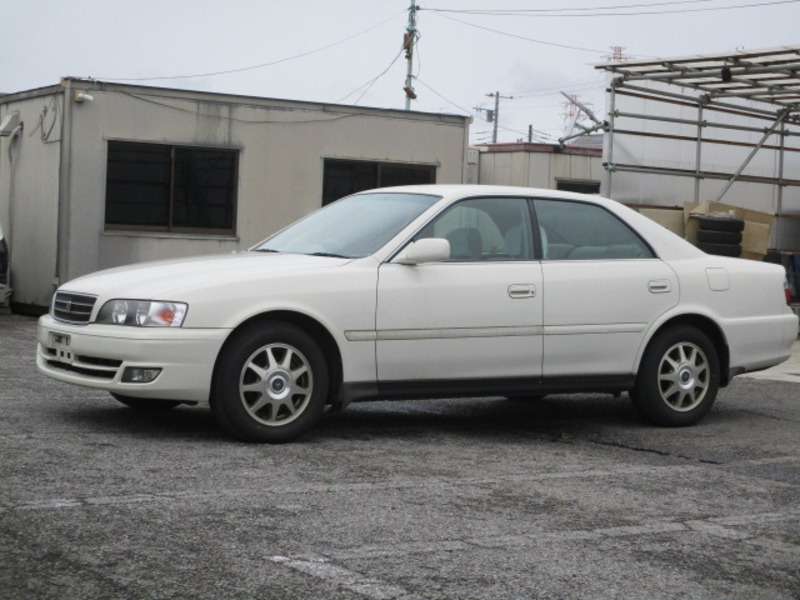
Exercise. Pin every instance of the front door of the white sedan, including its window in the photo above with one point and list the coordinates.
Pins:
(477, 316)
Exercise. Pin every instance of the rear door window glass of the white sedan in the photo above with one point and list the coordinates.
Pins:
(580, 231)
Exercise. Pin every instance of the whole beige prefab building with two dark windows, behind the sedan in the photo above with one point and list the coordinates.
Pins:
(95, 175)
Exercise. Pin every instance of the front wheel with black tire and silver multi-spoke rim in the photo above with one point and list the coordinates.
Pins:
(271, 384)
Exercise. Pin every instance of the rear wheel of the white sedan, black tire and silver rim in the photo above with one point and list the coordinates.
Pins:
(678, 379)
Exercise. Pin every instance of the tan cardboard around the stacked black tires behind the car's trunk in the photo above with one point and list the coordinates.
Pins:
(757, 225)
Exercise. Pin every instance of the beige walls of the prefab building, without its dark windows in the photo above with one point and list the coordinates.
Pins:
(282, 147)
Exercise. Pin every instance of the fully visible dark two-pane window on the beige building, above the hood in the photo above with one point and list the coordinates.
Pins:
(170, 188)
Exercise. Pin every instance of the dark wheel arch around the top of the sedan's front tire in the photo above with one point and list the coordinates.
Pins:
(328, 345)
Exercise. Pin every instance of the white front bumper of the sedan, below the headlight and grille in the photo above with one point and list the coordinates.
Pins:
(96, 356)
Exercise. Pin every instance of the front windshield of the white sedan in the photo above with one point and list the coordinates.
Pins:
(352, 227)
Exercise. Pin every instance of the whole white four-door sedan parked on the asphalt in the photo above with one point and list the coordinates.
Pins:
(425, 291)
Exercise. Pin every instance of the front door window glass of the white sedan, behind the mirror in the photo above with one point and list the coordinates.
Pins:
(484, 229)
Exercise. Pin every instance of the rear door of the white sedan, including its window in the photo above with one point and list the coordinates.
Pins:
(603, 287)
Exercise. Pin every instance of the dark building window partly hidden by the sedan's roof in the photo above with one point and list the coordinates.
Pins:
(344, 177)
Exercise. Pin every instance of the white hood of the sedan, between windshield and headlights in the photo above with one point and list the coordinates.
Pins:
(174, 279)
